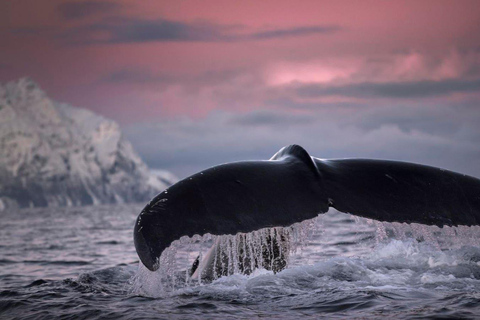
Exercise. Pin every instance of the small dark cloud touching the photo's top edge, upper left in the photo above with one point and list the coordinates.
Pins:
(78, 10)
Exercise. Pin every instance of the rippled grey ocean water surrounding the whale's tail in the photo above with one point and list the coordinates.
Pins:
(80, 263)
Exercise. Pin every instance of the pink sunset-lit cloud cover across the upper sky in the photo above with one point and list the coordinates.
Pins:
(376, 42)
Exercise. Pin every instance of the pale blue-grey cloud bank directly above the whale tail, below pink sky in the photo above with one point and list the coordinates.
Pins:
(443, 136)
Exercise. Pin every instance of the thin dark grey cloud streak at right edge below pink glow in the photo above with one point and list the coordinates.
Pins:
(414, 89)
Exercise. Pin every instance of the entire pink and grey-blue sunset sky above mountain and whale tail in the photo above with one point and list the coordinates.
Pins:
(198, 83)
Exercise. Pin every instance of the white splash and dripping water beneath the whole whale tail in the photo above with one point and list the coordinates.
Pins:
(304, 244)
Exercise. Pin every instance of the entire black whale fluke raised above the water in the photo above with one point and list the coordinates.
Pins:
(292, 187)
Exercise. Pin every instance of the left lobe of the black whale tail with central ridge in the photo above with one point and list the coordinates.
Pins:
(231, 198)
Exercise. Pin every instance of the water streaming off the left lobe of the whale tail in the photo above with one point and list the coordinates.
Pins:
(217, 256)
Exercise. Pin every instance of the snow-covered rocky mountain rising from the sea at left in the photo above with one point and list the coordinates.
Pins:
(53, 154)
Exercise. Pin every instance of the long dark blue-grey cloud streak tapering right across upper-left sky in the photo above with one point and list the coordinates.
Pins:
(132, 30)
